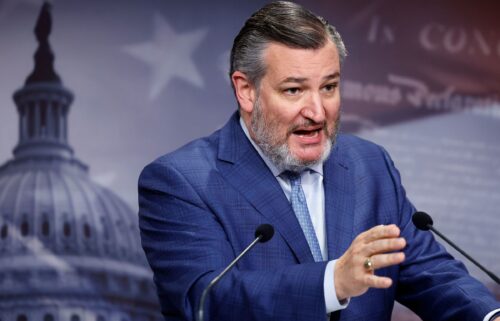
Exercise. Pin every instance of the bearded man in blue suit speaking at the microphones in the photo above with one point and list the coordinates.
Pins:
(344, 244)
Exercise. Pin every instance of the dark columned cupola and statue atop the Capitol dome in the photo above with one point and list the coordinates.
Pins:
(43, 103)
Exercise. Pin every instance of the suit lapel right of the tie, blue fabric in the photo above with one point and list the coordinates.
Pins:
(339, 202)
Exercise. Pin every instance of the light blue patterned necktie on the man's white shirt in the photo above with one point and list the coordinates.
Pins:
(299, 205)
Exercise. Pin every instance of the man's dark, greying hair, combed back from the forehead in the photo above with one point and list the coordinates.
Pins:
(282, 22)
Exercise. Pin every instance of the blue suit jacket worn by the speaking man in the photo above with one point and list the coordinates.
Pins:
(200, 205)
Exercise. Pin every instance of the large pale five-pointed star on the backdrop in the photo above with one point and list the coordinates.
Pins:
(169, 55)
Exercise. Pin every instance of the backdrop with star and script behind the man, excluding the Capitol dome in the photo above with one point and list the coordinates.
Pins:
(421, 79)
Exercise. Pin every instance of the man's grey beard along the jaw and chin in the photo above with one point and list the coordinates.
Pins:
(278, 151)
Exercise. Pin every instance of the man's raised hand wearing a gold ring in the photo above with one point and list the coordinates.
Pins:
(353, 274)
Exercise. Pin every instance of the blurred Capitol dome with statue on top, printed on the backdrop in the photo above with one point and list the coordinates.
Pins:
(69, 248)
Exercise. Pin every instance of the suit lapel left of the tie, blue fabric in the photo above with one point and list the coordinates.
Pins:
(243, 168)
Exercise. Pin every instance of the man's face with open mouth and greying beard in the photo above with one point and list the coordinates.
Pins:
(295, 117)
